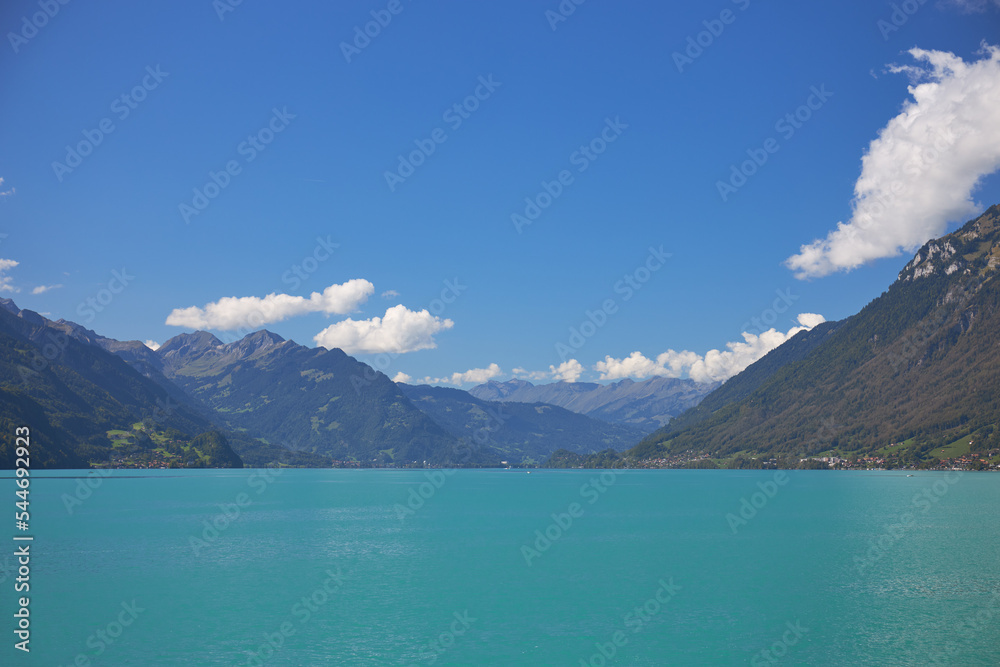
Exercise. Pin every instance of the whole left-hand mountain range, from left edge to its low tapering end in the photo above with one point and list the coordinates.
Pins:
(198, 401)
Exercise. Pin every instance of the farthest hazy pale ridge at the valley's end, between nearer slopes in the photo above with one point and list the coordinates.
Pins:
(646, 405)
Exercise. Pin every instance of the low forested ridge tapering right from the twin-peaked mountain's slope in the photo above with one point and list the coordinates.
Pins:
(520, 431)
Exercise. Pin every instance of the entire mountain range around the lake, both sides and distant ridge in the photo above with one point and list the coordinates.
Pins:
(911, 378)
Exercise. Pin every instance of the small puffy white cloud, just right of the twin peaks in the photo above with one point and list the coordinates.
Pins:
(400, 330)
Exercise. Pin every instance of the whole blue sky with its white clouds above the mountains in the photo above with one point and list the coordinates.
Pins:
(463, 192)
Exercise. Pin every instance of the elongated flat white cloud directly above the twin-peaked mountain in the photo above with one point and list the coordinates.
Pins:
(250, 311)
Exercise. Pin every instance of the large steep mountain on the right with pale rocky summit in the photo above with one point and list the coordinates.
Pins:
(917, 369)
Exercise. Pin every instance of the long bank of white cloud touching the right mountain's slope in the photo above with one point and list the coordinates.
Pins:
(714, 366)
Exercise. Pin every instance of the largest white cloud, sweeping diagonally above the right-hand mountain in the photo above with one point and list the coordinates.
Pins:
(919, 174)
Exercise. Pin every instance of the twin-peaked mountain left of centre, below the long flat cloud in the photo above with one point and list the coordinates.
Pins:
(307, 399)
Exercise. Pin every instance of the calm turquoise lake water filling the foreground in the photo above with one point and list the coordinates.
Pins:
(334, 568)
